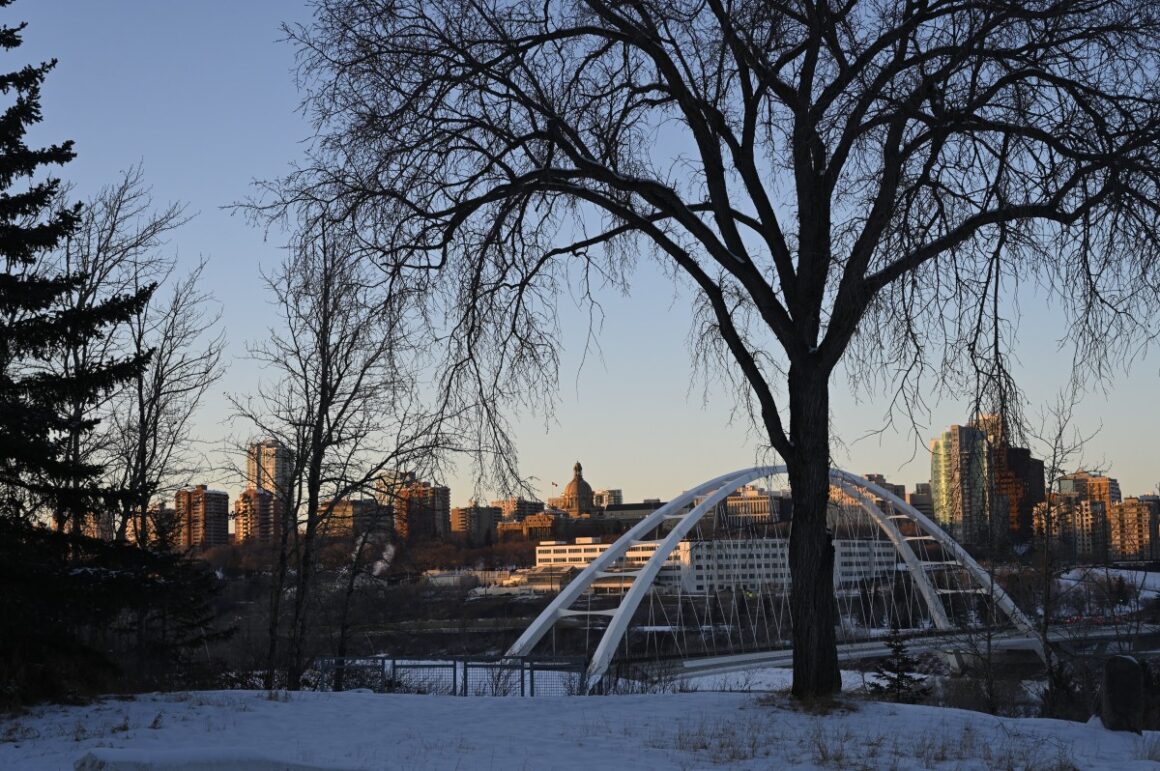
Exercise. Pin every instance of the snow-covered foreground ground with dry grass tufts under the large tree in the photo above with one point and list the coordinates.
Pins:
(250, 730)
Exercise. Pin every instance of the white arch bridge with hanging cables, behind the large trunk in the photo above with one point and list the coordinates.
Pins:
(700, 581)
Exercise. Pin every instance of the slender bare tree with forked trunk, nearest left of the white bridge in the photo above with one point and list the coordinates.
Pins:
(344, 405)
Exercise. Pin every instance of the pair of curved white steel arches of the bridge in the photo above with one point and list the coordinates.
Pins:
(716, 491)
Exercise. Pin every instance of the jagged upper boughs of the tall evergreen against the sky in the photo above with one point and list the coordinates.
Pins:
(38, 419)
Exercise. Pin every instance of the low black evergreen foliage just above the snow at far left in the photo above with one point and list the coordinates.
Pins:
(83, 616)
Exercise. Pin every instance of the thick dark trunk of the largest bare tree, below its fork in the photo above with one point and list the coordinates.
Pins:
(813, 610)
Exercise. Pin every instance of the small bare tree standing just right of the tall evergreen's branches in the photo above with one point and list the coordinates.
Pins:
(150, 445)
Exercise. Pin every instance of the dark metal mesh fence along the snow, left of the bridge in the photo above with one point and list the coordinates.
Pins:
(472, 677)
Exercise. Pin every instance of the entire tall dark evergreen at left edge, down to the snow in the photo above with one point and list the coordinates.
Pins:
(75, 612)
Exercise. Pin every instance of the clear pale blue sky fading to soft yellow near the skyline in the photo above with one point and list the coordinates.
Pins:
(202, 94)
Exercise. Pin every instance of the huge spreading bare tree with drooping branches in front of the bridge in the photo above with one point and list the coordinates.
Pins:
(824, 174)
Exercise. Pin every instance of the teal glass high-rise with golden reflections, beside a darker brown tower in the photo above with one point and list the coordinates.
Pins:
(959, 484)
